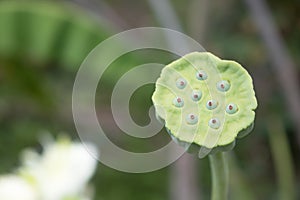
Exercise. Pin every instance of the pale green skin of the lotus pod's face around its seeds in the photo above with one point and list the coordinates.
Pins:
(232, 125)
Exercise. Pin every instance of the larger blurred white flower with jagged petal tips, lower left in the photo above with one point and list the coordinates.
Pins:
(63, 170)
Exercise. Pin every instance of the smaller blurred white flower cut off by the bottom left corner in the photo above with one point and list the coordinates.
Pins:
(13, 187)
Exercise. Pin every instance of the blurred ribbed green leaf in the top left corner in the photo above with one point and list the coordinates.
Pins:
(42, 32)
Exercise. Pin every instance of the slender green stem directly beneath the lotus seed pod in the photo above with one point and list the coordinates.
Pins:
(219, 168)
